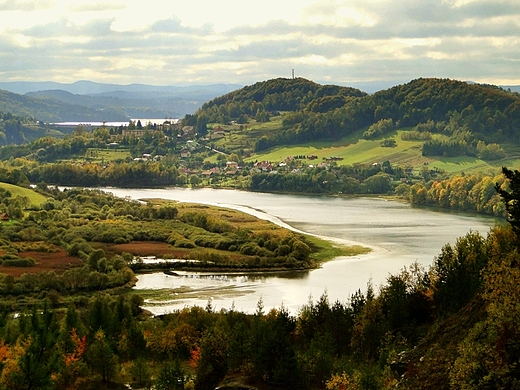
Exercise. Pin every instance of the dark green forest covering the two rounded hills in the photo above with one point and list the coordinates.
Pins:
(319, 112)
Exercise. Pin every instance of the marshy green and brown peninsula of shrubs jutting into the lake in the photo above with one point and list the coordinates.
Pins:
(79, 240)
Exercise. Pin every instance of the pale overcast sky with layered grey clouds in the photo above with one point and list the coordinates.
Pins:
(172, 42)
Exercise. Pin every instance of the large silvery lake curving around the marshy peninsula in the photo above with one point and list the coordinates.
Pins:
(398, 233)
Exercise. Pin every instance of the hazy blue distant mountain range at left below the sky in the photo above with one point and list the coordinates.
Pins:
(87, 100)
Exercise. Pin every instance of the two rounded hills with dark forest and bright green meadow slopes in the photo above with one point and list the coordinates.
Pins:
(443, 120)
